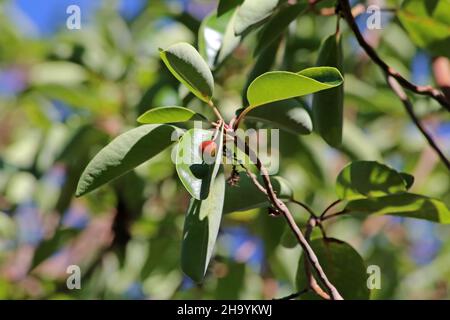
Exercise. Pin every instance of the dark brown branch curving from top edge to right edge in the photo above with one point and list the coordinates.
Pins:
(422, 90)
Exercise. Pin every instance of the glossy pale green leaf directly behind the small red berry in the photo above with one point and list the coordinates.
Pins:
(195, 171)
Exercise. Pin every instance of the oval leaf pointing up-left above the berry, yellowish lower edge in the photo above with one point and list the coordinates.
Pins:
(188, 66)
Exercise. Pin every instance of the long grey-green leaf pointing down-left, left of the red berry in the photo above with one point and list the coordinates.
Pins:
(124, 153)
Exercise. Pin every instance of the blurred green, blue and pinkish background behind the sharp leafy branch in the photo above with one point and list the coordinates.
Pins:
(65, 93)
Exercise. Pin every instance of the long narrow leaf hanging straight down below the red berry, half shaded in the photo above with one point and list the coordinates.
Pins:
(201, 228)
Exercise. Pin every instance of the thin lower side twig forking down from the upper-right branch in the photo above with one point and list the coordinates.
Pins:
(398, 90)
